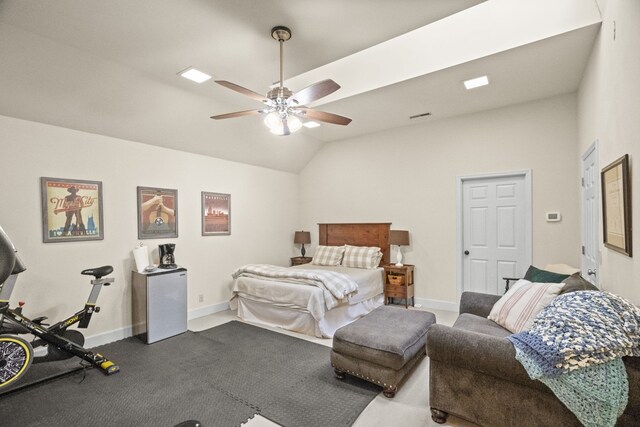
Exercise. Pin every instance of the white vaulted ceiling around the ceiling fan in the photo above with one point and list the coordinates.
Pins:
(111, 67)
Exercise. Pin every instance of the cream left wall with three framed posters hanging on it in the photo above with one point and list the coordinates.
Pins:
(264, 214)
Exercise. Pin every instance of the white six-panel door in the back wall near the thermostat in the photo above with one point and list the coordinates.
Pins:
(496, 230)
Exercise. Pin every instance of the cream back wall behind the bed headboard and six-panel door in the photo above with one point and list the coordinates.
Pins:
(408, 177)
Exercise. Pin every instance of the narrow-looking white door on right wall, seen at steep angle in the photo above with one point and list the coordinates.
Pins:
(590, 210)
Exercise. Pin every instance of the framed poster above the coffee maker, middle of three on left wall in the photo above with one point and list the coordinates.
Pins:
(157, 213)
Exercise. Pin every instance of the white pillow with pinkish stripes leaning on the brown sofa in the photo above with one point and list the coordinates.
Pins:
(517, 308)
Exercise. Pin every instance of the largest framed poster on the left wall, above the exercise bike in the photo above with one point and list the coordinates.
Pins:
(71, 210)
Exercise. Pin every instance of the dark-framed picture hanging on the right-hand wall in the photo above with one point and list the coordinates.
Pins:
(616, 206)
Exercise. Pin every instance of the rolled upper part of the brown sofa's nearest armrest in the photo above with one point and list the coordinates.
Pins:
(490, 355)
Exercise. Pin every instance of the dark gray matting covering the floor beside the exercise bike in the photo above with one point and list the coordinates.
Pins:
(221, 377)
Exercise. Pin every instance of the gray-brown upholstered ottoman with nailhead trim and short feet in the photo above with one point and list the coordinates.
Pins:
(382, 347)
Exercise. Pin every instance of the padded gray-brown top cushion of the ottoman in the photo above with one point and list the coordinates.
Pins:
(388, 336)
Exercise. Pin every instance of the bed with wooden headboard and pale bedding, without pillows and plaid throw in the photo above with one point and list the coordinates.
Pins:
(304, 308)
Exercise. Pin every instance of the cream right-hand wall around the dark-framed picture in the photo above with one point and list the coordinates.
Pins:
(608, 110)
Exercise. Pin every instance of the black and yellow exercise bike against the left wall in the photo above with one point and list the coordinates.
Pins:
(17, 353)
